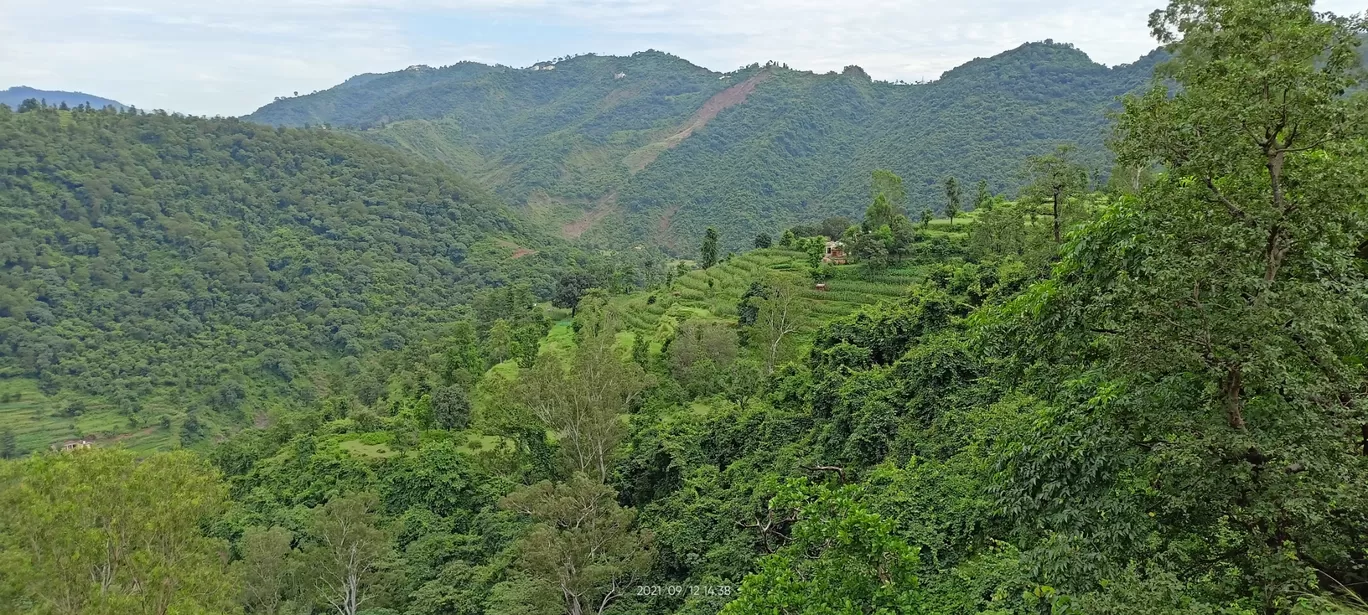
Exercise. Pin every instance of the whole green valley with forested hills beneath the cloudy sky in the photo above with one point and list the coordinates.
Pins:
(623, 336)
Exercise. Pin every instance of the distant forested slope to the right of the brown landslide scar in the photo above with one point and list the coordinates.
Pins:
(802, 148)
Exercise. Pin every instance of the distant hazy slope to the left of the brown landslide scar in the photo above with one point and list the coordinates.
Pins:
(557, 128)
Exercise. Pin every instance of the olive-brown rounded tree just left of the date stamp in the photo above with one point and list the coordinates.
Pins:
(583, 547)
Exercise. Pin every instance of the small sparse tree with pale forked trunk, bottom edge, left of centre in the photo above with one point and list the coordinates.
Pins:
(347, 551)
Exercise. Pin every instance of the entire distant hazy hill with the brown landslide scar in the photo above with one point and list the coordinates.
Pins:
(655, 148)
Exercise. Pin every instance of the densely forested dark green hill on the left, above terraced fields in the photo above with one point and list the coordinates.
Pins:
(217, 260)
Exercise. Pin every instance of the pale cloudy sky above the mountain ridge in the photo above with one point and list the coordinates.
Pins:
(233, 57)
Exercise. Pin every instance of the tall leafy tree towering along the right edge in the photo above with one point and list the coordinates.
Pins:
(1221, 310)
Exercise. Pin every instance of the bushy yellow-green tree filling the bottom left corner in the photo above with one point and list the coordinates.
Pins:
(107, 532)
